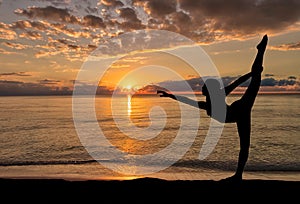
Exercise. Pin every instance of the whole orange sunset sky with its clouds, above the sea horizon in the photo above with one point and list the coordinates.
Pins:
(43, 44)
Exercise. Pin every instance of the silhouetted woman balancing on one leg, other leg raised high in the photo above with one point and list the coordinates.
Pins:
(239, 111)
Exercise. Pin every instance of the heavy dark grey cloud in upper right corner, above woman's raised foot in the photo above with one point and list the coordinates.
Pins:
(237, 17)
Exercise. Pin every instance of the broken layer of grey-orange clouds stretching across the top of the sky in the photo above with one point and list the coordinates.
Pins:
(204, 21)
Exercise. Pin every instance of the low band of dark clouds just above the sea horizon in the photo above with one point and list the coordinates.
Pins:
(51, 87)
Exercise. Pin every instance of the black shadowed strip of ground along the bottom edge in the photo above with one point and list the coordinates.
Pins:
(147, 190)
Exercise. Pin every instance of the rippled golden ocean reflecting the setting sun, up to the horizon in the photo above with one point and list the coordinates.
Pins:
(39, 138)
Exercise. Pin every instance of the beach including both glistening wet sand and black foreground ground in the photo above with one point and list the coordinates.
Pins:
(52, 183)
